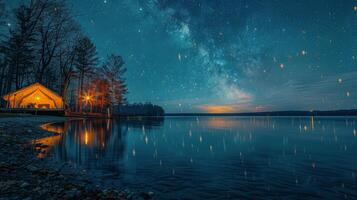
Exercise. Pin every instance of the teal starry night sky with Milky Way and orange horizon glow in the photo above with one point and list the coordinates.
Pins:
(230, 55)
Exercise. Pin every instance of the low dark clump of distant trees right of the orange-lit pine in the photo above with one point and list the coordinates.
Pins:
(146, 109)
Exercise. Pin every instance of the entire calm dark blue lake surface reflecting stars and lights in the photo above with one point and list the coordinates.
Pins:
(216, 157)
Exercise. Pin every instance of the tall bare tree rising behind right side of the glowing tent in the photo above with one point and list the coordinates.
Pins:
(54, 28)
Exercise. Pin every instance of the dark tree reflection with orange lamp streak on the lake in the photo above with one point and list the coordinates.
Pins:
(91, 142)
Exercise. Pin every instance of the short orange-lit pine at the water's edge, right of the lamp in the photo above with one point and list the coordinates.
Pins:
(113, 70)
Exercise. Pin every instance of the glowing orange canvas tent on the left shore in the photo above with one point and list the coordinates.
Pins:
(34, 96)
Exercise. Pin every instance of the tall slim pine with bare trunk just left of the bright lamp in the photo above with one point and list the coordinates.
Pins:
(85, 61)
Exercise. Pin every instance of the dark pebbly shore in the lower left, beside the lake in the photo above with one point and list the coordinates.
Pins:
(25, 176)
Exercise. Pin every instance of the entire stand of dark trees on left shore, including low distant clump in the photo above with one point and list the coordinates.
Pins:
(46, 45)
